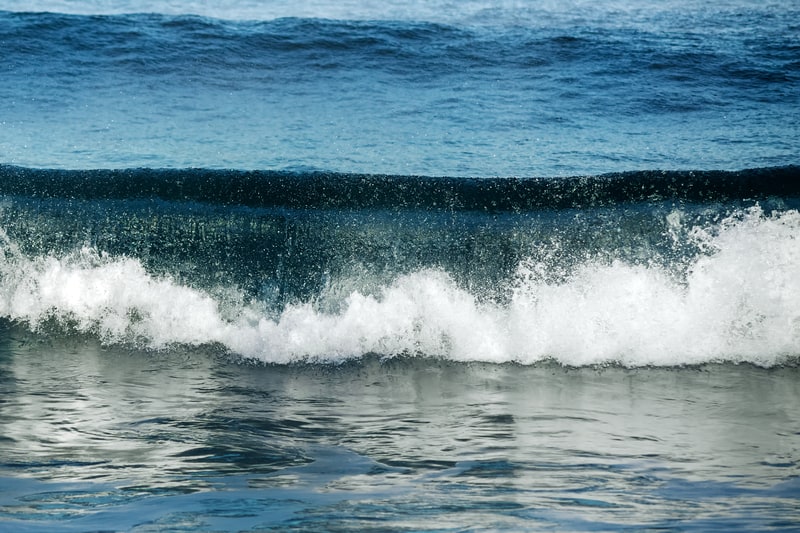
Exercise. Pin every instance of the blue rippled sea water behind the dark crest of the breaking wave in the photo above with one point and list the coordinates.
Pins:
(521, 91)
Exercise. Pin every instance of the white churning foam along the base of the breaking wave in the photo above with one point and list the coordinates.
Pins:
(737, 301)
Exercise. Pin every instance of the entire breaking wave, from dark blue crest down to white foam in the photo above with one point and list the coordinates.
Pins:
(649, 268)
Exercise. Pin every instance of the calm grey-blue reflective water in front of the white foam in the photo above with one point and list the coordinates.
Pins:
(190, 439)
